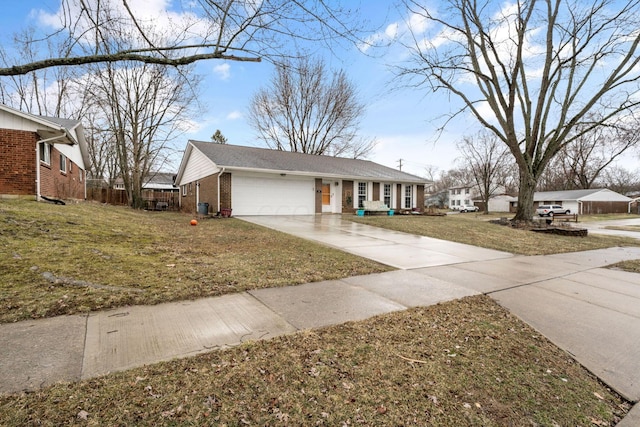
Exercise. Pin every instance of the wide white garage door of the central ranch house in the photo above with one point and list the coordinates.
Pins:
(268, 195)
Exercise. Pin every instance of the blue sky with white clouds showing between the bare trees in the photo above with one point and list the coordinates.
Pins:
(403, 121)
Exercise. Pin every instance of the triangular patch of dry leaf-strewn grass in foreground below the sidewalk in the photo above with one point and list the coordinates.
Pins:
(462, 363)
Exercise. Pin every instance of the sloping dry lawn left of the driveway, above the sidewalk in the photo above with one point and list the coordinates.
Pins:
(58, 260)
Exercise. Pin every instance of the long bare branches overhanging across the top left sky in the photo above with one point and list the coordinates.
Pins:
(238, 30)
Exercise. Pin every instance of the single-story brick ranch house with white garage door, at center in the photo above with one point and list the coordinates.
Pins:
(258, 181)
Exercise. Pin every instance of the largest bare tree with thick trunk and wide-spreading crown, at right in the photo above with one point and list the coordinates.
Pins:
(531, 72)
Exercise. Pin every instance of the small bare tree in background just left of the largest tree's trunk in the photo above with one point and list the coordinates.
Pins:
(487, 160)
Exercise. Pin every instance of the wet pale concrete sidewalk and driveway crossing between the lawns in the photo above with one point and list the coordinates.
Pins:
(591, 312)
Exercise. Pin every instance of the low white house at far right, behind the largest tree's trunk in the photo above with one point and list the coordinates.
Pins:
(590, 201)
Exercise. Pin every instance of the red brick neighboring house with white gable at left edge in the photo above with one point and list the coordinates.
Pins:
(41, 156)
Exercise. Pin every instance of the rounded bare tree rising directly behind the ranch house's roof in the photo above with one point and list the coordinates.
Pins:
(309, 110)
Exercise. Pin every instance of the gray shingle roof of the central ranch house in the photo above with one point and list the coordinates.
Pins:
(235, 156)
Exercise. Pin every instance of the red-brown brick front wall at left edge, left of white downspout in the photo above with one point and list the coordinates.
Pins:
(17, 162)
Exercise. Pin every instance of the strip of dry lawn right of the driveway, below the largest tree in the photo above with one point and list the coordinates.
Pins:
(474, 229)
